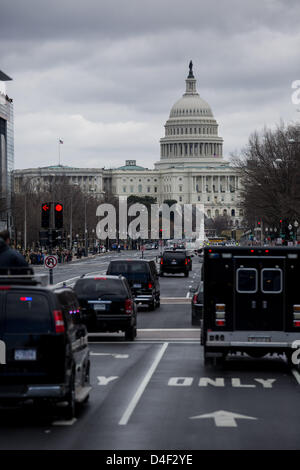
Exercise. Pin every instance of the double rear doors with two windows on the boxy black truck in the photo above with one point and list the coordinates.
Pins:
(259, 293)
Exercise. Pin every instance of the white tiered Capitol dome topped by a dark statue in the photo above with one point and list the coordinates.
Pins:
(191, 131)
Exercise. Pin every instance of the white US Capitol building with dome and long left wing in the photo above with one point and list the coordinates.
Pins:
(191, 168)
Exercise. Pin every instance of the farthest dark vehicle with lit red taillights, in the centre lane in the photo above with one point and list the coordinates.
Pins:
(174, 262)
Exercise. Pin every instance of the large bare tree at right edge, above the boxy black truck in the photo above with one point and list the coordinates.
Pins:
(270, 171)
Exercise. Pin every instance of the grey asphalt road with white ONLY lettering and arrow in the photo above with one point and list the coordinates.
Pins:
(156, 393)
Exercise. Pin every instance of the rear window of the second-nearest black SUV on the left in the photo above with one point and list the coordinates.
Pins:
(99, 287)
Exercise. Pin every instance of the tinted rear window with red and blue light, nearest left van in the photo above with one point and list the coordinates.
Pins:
(27, 313)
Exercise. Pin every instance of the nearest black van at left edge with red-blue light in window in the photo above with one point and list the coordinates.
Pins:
(47, 356)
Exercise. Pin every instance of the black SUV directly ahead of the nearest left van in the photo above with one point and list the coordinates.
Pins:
(107, 304)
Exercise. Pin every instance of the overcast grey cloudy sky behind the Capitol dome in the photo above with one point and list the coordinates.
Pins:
(103, 75)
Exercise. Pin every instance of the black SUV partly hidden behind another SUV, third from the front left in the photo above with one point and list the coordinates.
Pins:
(142, 277)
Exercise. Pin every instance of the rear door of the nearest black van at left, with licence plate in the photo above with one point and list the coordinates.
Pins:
(34, 352)
